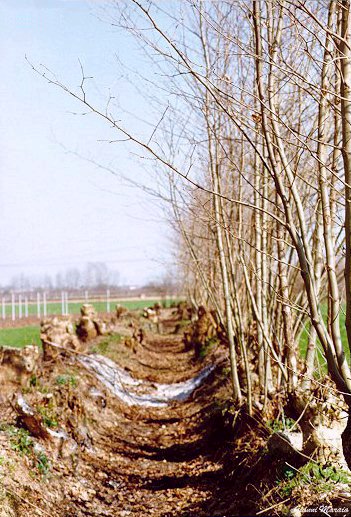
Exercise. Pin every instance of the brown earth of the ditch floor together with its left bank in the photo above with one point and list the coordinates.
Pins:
(129, 460)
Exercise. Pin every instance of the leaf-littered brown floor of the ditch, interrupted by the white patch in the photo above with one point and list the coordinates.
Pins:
(157, 461)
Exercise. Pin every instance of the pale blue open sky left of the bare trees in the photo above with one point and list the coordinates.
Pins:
(57, 210)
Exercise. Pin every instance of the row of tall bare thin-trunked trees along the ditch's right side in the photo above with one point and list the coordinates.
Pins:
(254, 141)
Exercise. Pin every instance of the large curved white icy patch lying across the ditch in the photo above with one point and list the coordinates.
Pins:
(158, 395)
